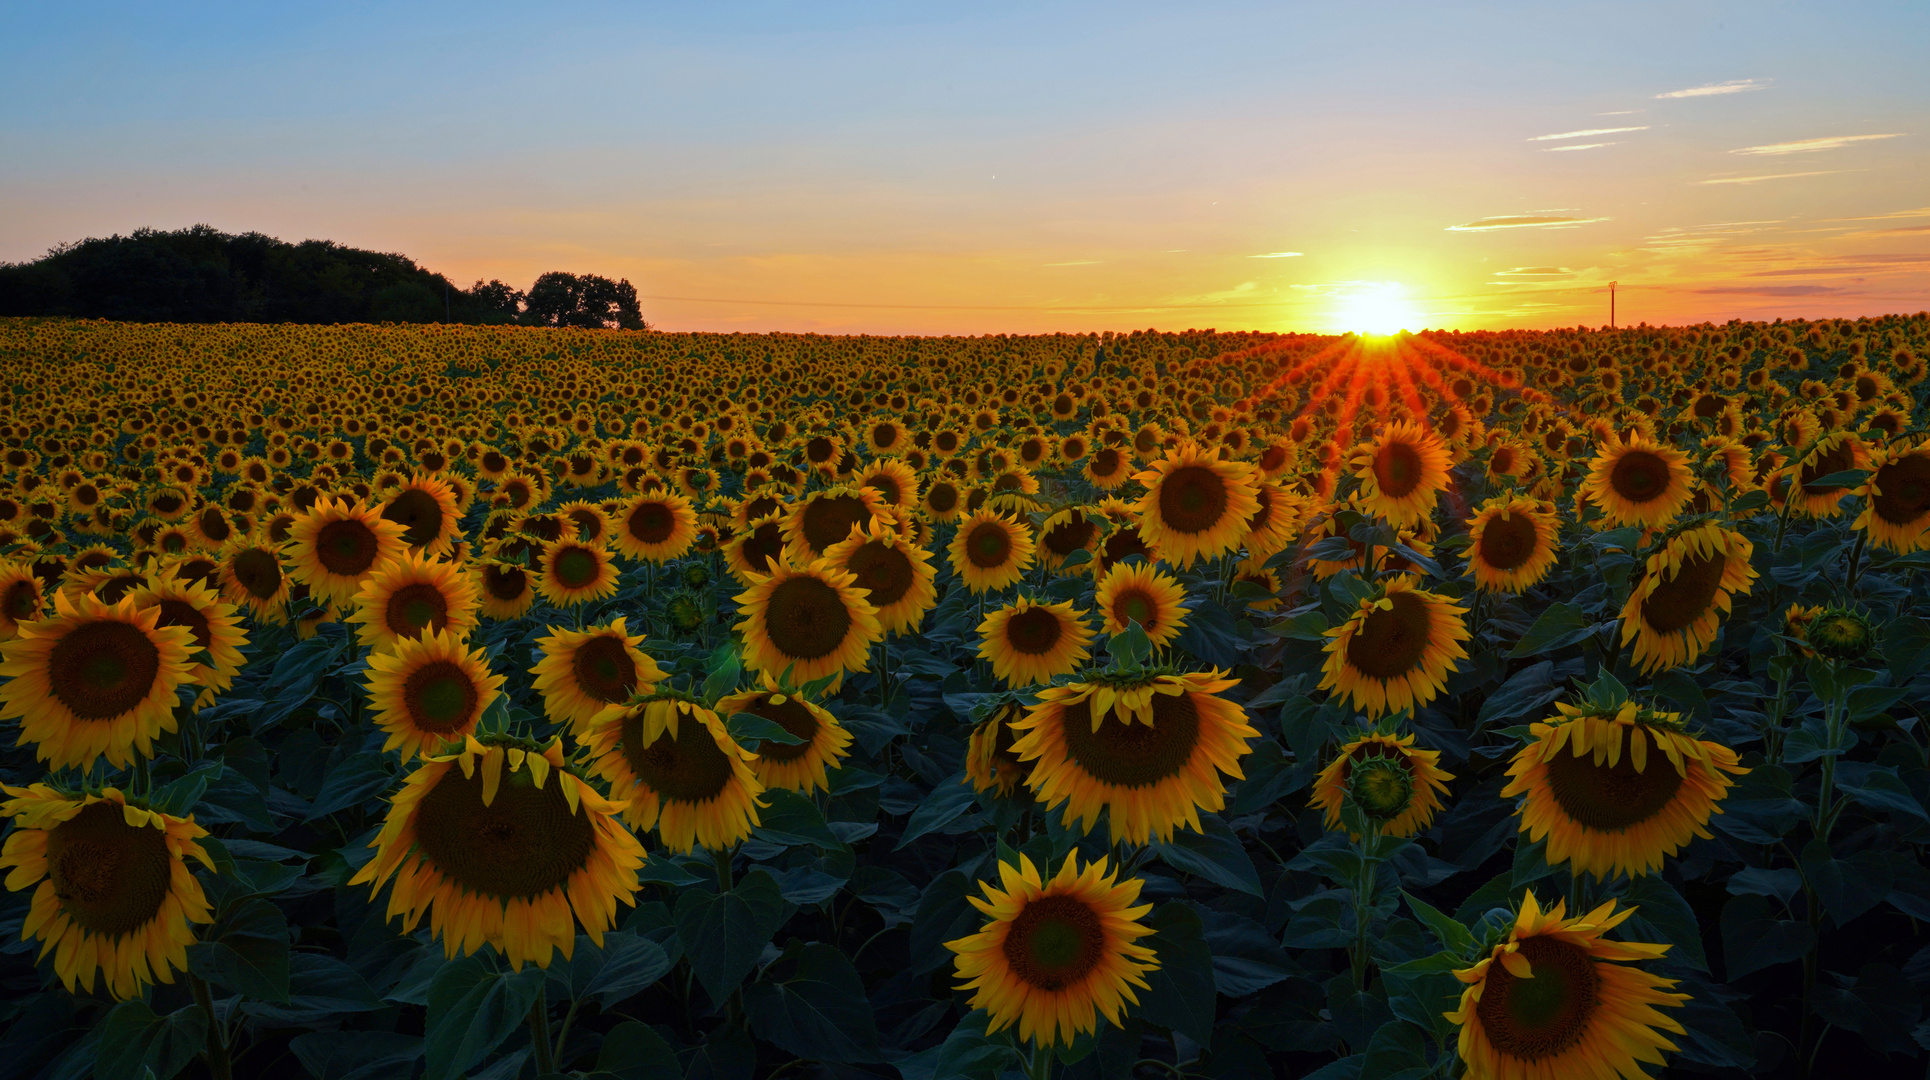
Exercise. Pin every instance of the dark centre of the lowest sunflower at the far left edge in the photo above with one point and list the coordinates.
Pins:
(109, 877)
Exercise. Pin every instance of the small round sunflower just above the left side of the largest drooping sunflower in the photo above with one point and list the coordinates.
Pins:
(429, 691)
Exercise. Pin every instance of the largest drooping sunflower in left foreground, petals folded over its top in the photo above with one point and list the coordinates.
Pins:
(499, 844)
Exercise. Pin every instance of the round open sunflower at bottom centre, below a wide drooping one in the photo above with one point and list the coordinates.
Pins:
(1057, 956)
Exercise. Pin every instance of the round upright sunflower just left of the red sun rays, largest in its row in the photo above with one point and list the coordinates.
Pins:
(1196, 504)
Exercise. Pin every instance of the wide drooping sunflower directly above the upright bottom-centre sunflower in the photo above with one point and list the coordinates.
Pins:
(1147, 751)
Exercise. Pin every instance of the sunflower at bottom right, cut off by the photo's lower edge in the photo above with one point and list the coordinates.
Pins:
(1553, 1002)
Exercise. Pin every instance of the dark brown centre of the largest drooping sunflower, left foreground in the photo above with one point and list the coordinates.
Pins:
(524, 844)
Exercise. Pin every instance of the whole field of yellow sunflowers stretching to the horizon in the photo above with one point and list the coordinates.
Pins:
(499, 703)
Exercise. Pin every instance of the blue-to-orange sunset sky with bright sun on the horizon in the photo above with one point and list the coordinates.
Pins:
(985, 167)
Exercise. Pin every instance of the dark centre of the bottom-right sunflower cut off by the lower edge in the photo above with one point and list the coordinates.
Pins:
(1545, 1015)
